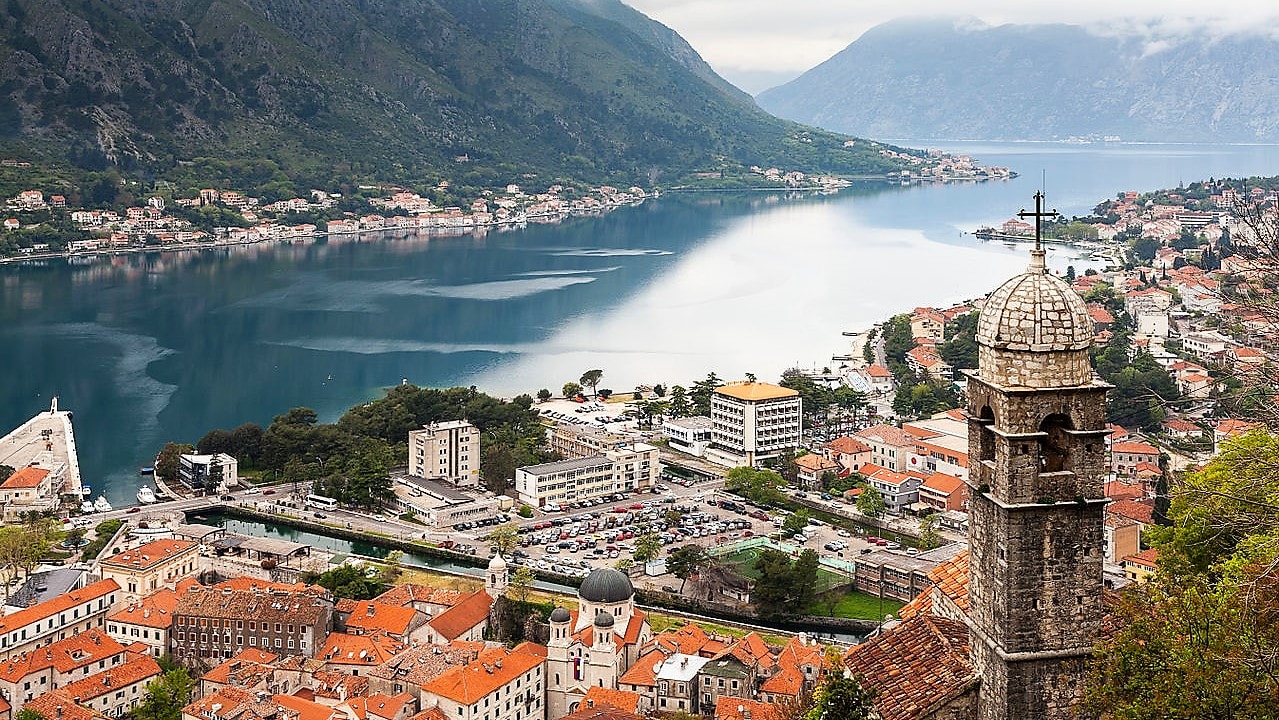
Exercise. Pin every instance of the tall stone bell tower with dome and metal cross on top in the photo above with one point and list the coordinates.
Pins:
(1037, 428)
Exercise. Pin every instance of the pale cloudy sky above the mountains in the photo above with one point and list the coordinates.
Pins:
(759, 44)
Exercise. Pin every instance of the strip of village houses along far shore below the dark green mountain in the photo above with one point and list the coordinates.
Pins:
(148, 227)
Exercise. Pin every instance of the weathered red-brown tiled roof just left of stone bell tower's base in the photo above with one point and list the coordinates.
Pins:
(915, 667)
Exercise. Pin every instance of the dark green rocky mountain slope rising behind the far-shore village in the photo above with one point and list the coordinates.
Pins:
(475, 91)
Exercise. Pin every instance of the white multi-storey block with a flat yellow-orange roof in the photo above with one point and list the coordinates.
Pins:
(751, 423)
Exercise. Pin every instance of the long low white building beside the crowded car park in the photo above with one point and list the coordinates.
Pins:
(624, 470)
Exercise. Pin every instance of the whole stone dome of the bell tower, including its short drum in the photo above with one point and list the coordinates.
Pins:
(1035, 332)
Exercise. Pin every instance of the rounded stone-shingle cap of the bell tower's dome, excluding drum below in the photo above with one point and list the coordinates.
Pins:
(1035, 313)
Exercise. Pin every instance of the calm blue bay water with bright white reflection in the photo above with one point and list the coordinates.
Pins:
(149, 348)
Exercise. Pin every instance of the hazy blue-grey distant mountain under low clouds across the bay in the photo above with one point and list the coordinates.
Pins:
(960, 80)
